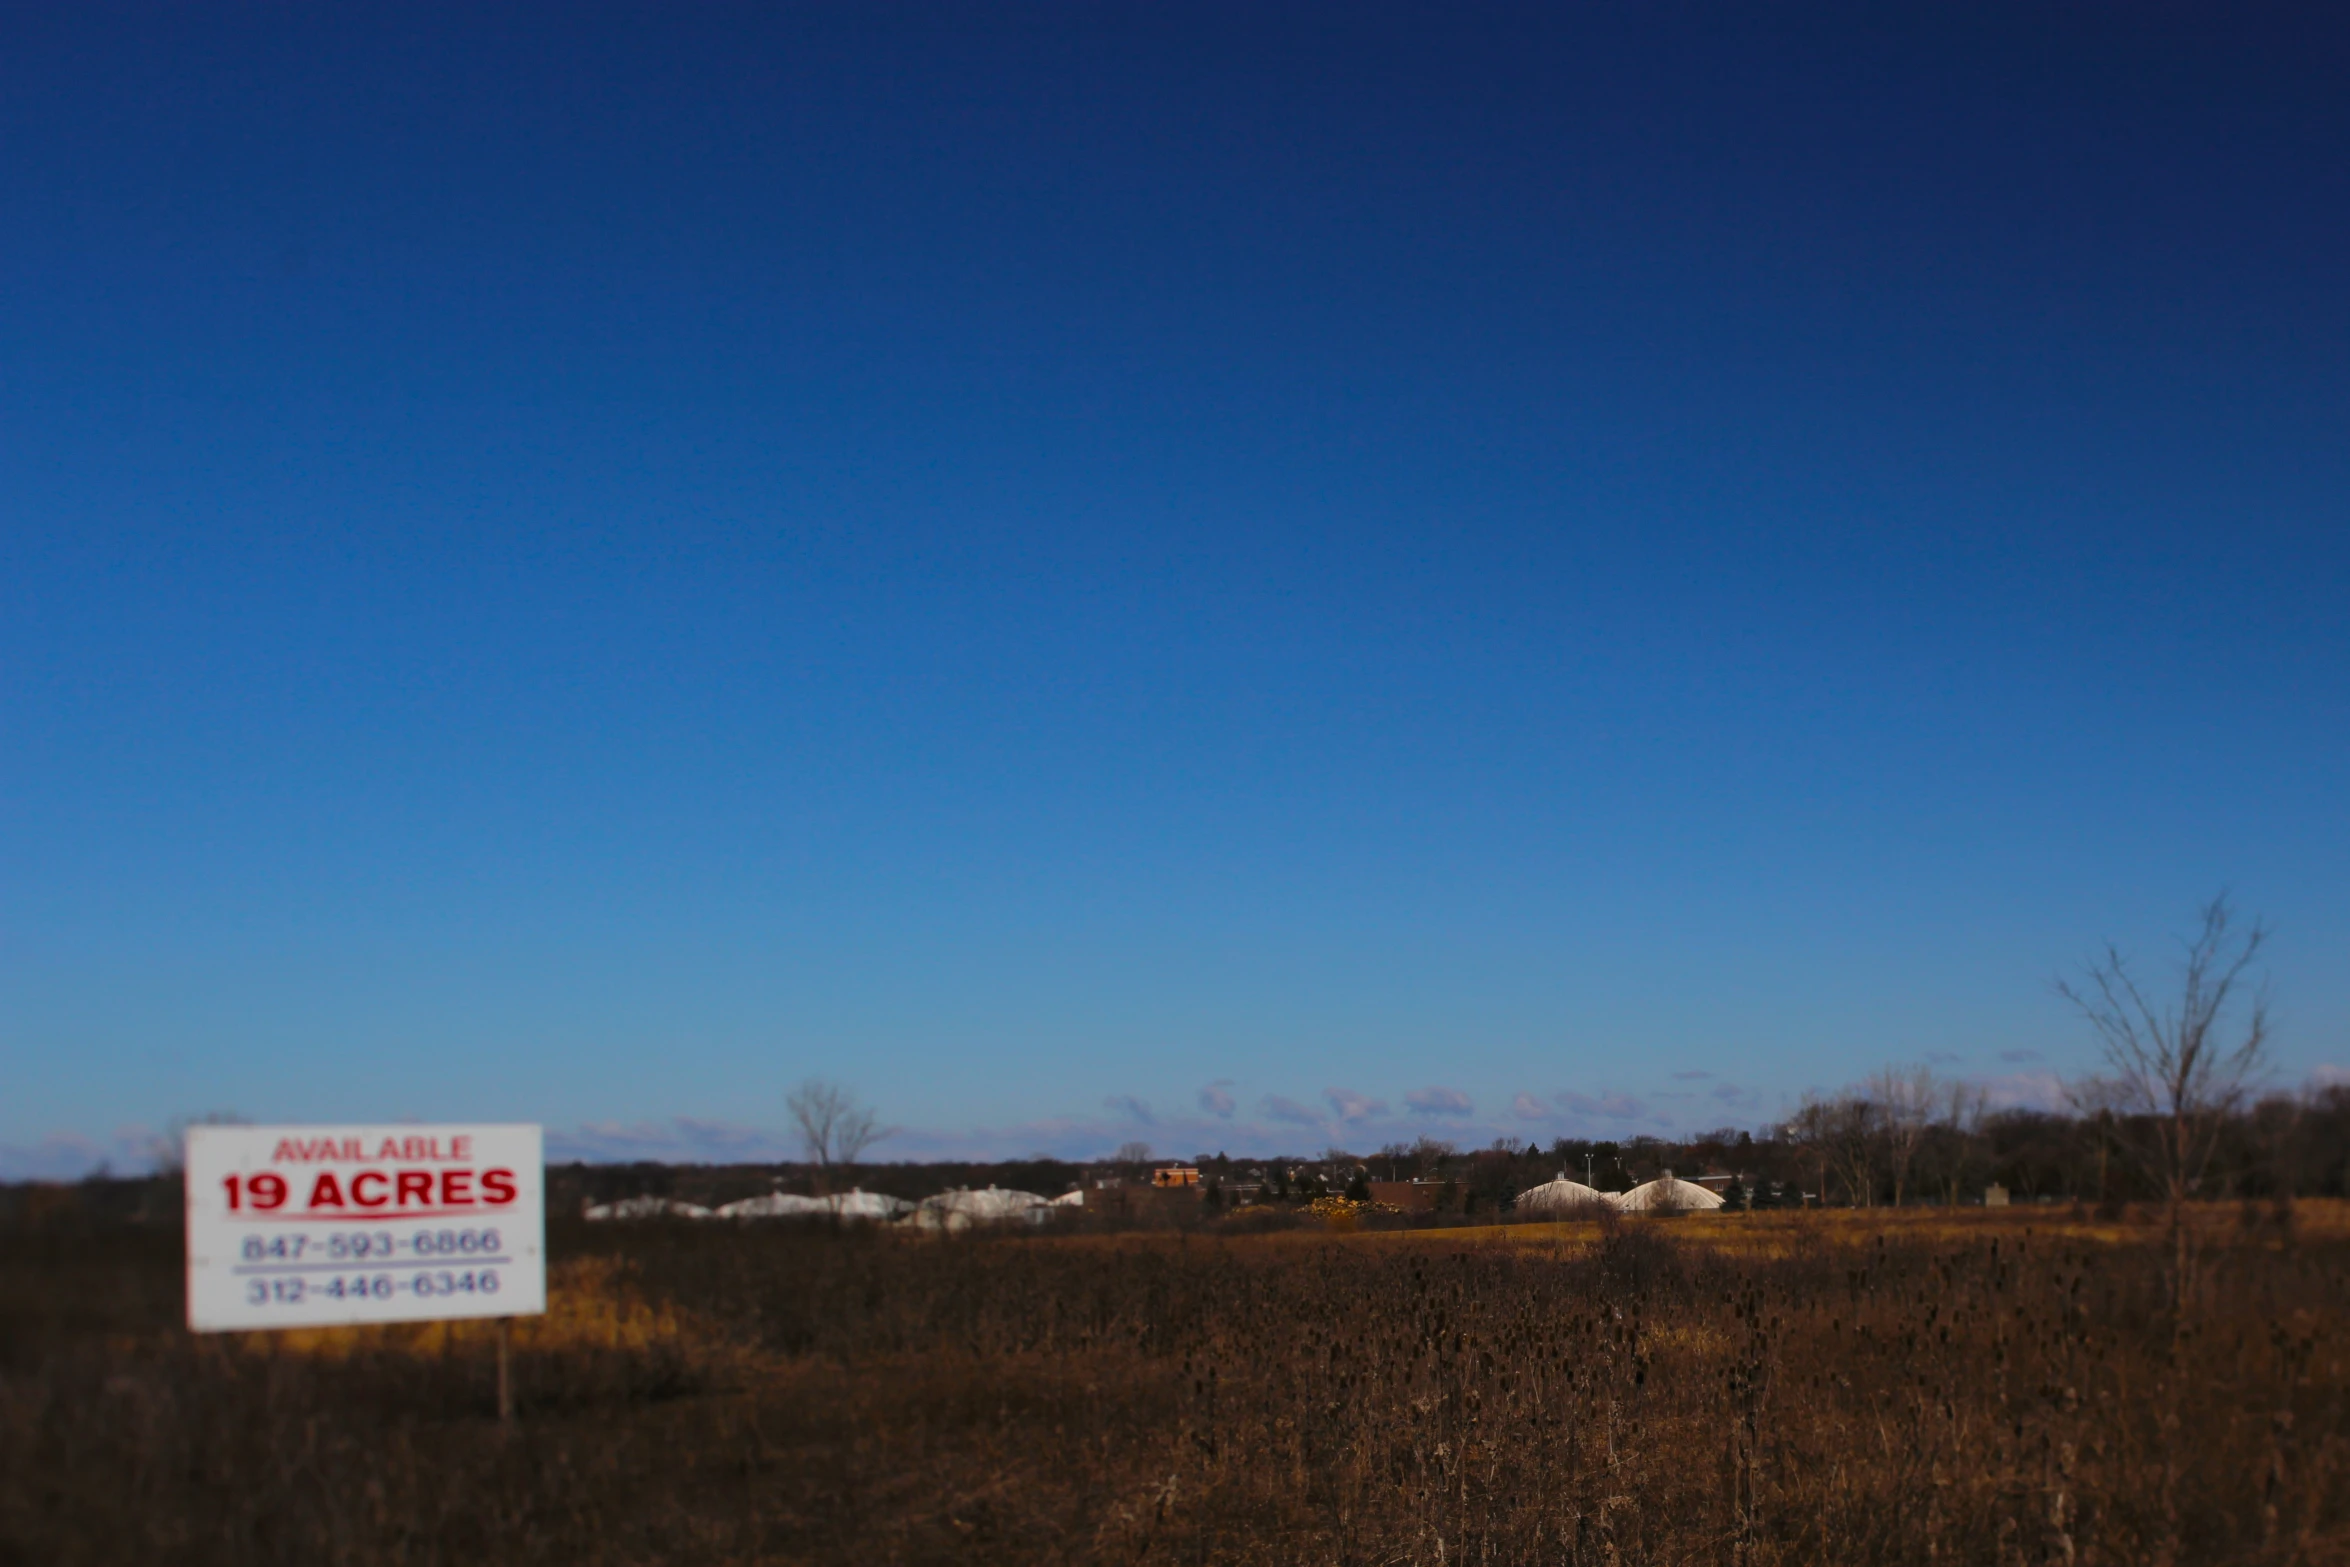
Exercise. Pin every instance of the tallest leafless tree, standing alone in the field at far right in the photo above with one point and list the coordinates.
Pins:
(2184, 1068)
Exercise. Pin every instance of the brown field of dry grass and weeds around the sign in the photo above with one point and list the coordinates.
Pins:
(1970, 1387)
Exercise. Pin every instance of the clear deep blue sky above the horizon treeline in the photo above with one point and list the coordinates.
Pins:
(1214, 574)
